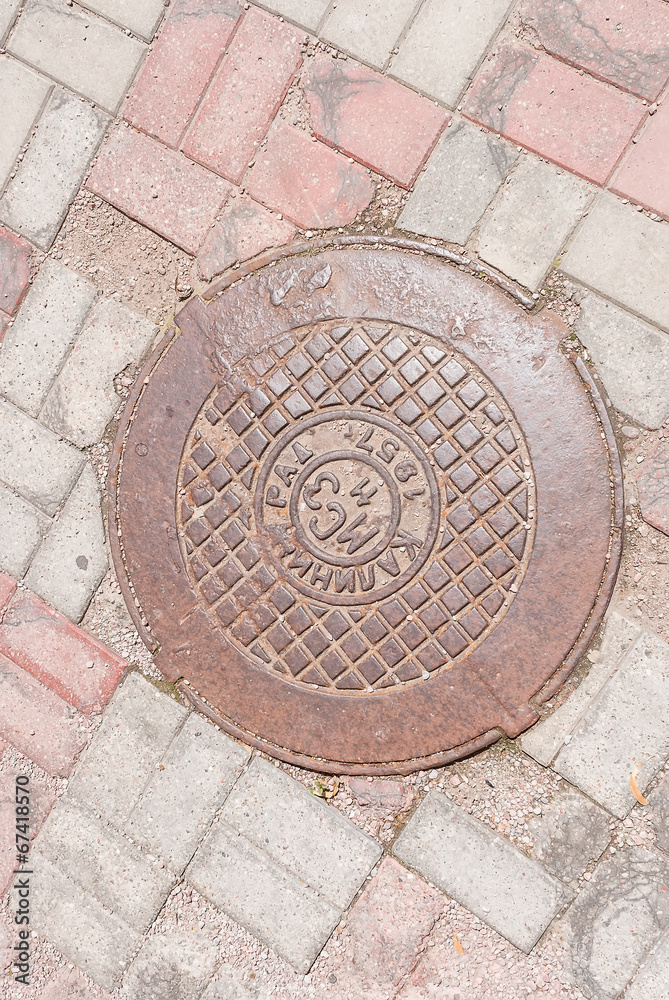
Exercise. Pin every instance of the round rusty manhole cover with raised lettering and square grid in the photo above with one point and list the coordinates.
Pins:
(367, 509)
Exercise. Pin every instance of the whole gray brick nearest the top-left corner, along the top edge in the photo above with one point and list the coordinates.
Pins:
(85, 53)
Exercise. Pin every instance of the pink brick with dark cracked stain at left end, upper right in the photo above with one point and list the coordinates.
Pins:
(550, 108)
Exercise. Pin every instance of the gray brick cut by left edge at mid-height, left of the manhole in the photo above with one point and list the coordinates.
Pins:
(34, 461)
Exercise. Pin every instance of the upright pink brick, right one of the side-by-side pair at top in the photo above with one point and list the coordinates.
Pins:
(246, 94)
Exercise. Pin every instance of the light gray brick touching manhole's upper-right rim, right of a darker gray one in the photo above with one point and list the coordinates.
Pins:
(535, 212)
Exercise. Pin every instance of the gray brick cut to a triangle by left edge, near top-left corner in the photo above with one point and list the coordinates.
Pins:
(22, 95)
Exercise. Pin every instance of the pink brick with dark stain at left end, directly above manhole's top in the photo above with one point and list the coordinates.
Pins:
(381, 123)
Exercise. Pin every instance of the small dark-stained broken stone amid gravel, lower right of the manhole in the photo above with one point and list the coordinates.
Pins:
(571, 833)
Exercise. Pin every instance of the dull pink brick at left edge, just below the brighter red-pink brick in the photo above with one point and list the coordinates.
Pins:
(37, 722)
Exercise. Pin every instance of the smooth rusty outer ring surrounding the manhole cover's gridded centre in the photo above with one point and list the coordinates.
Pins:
(452, 722)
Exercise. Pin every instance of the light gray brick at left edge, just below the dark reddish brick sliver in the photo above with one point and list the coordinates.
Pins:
(36, 345)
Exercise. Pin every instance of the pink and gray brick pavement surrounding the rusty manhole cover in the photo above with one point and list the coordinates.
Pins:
(534, 138)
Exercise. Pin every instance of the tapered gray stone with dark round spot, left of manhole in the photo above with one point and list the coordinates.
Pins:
(72, 560)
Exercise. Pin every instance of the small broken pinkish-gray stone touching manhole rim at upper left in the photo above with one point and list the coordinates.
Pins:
(242, 230)
